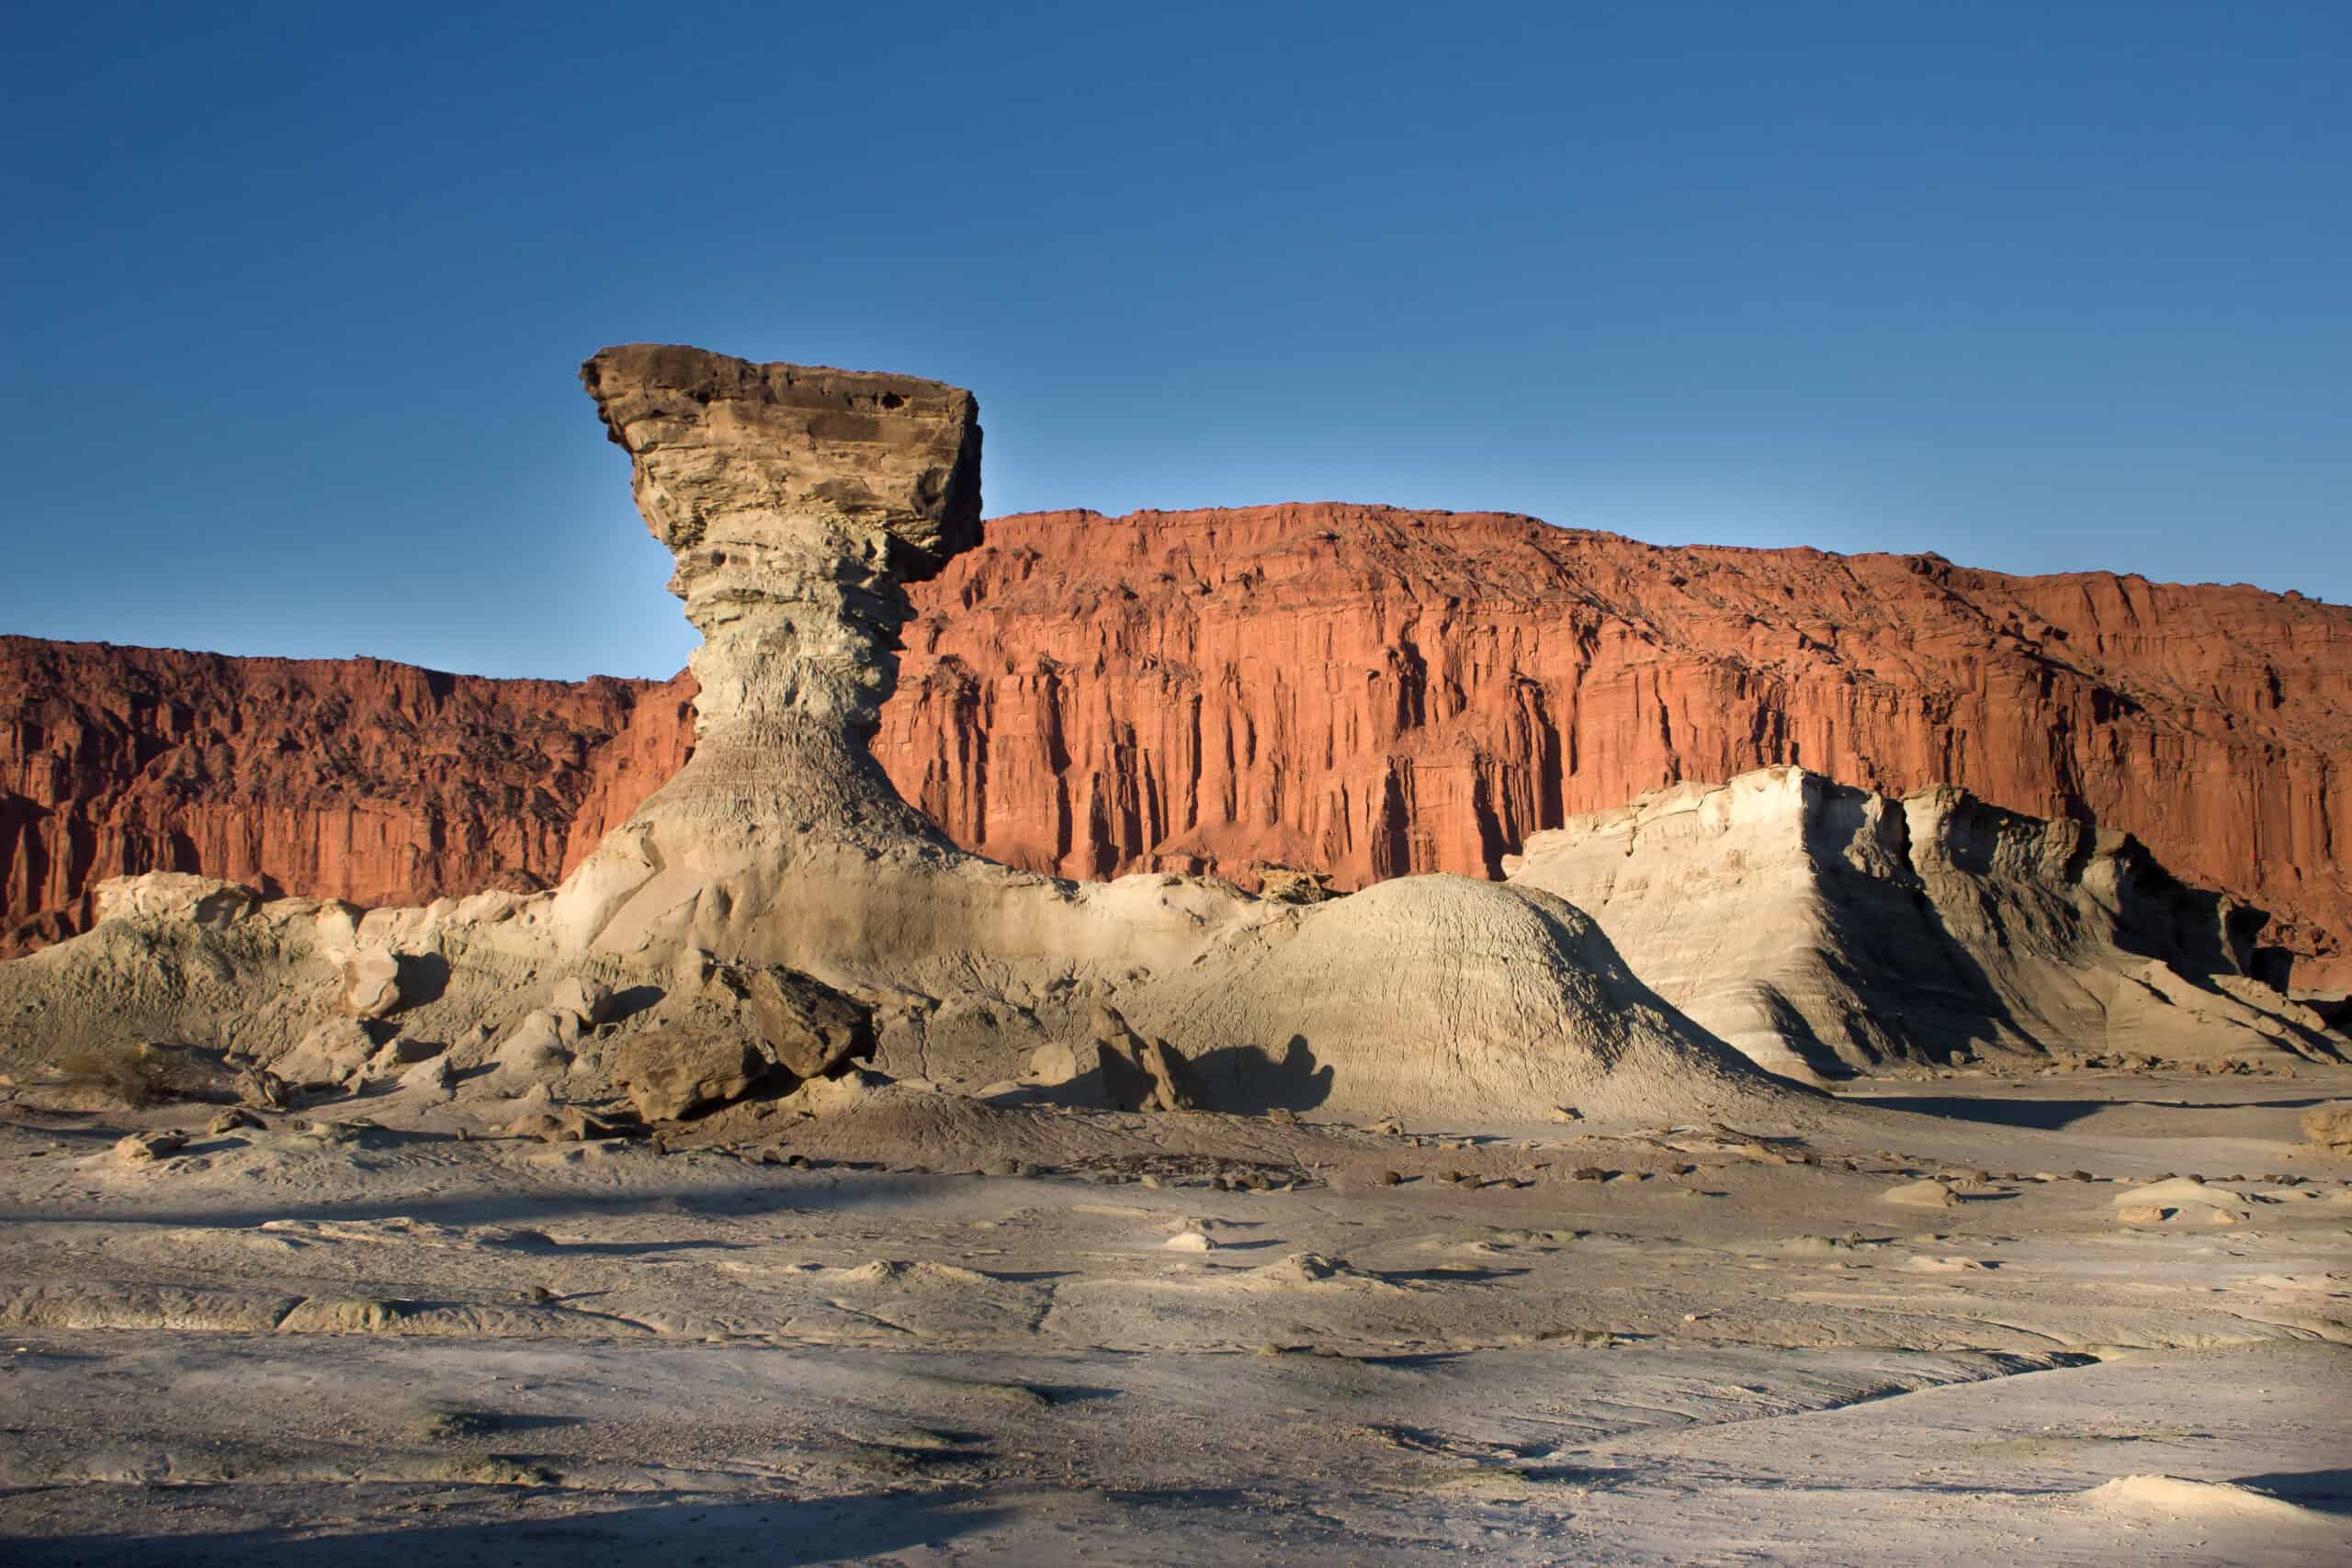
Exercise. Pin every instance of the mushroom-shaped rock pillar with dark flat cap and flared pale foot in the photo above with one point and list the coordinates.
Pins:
(799, 504)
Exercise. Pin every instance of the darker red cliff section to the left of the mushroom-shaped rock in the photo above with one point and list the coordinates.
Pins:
(349, 779)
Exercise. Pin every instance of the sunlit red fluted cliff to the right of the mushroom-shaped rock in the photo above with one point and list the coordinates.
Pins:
(1377, 692)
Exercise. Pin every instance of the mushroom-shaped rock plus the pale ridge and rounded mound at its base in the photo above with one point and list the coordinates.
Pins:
(799, 504)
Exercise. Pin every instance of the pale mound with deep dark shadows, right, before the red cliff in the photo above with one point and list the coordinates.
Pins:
(1826, 930)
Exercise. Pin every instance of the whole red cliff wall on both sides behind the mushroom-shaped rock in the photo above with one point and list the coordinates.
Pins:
(1344, 690)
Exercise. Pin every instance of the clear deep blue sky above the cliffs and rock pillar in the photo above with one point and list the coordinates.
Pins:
(295, 295)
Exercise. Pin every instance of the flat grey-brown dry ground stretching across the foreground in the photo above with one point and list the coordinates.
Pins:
(1593, 1343)
